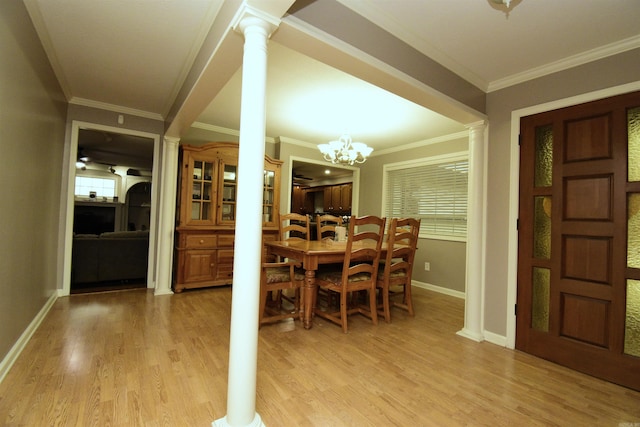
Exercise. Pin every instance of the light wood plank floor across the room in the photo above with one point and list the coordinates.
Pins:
(132, 359)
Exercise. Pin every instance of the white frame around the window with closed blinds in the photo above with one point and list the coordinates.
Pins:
(418, 163)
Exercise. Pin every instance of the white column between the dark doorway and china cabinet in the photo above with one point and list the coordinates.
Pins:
(167, 215)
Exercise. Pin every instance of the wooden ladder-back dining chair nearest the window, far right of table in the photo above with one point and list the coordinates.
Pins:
(394, 279)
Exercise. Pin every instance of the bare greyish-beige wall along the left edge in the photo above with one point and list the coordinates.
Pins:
(32, 128)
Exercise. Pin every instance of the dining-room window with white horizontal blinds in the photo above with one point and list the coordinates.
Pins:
(433, 189)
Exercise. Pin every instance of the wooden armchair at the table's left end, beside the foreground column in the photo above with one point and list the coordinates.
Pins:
(277, 277)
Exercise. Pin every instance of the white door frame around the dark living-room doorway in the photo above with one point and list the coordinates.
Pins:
(69, 198)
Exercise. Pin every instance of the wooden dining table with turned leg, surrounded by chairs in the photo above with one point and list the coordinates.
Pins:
(312, 254)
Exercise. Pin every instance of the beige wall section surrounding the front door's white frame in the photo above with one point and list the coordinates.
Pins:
(599, 75)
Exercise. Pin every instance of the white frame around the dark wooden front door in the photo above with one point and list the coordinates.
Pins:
(514, 175)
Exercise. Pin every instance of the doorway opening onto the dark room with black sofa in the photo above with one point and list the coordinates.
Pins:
(111, 209)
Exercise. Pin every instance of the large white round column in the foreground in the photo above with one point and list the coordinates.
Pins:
(243, 349)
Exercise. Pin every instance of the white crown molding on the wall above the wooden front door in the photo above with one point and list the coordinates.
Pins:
(566, 63)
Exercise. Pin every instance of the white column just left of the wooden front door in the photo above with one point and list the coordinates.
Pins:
(474, 301)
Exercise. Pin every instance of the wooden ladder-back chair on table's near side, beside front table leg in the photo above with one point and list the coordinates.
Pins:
(358, 271)
